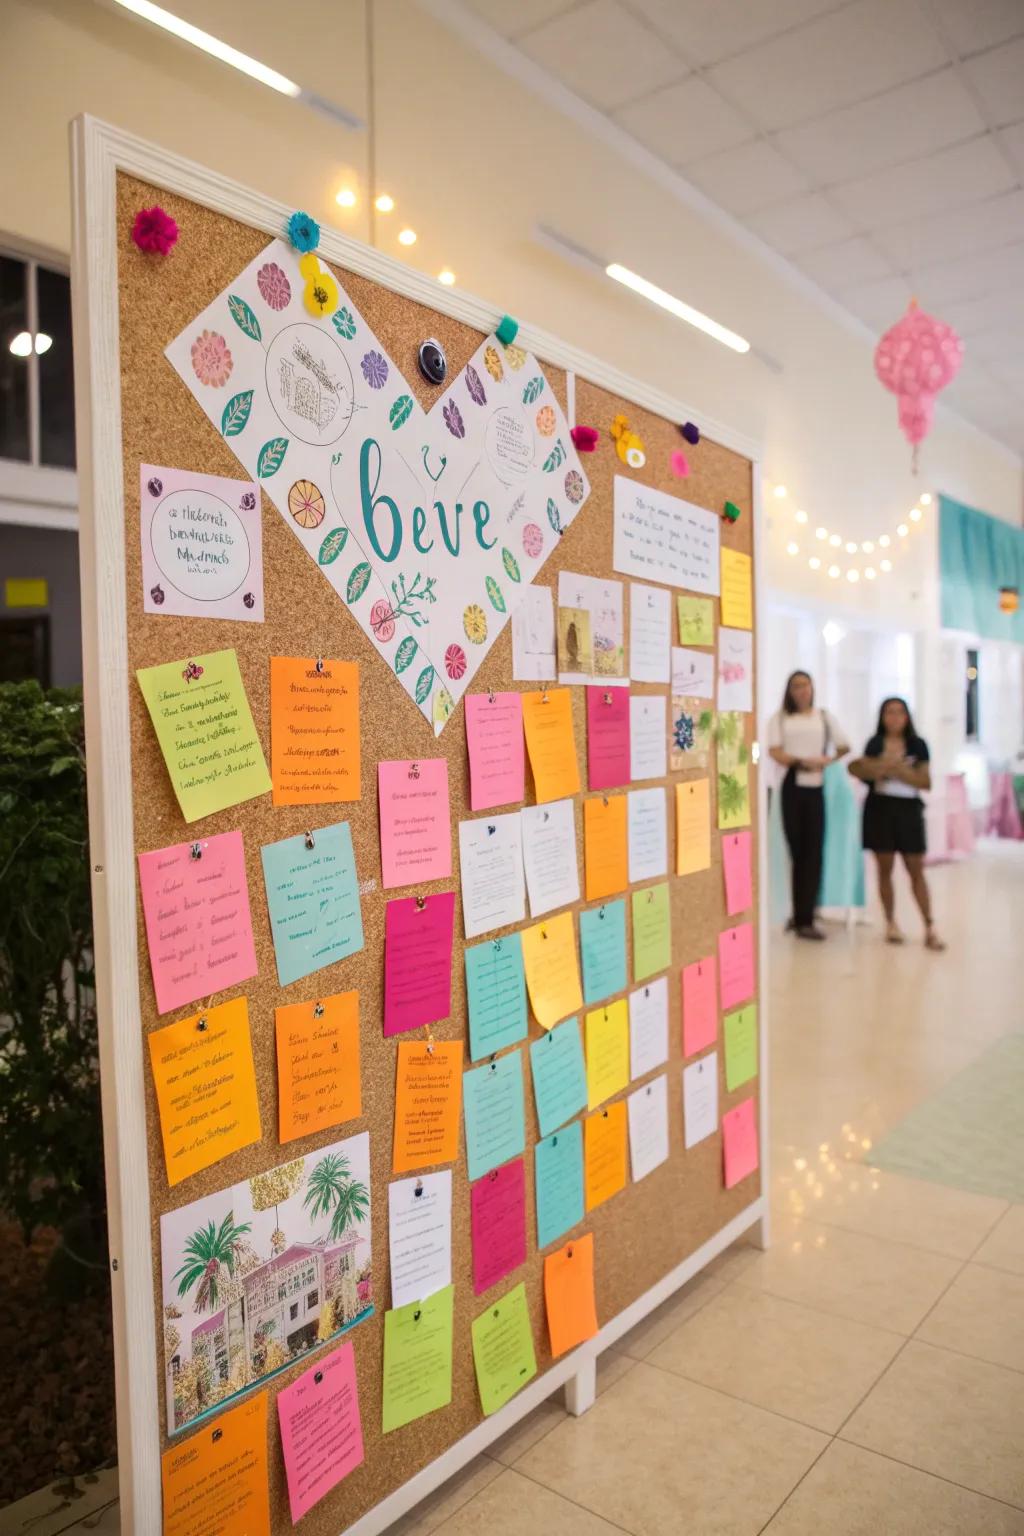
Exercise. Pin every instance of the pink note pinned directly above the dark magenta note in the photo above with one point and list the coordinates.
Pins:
(415, 823)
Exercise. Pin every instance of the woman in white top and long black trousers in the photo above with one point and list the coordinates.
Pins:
(805, 741)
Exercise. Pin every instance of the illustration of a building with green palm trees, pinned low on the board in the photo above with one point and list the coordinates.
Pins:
(263, 1273)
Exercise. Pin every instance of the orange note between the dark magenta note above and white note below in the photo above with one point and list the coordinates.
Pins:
(428, 1104)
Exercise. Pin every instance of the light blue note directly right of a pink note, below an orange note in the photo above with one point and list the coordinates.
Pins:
(314, 901)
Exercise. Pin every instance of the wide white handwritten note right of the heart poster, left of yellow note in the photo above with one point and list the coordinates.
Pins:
(664, 538)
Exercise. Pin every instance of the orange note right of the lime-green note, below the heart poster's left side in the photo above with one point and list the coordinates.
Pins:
(314, 730)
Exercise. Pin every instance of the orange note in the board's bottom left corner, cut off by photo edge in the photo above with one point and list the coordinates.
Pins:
(216, 1481)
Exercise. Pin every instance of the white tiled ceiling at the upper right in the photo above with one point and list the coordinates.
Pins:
(877, 145)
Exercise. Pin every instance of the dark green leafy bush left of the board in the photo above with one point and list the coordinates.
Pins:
(51, 1145)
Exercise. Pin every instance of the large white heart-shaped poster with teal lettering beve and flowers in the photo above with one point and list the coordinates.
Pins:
(429, 526)
